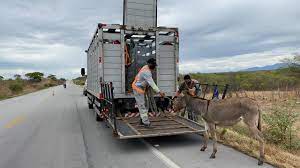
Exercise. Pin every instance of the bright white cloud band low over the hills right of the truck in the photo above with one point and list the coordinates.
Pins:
(236, 63)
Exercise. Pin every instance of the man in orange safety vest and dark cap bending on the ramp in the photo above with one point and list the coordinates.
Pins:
(143, 80)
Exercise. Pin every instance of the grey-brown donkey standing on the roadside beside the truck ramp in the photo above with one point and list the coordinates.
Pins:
(225, 112)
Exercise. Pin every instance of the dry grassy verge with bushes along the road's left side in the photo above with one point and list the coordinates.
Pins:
(14, 88)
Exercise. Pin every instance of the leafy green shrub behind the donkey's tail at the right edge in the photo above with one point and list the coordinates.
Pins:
(280, 128)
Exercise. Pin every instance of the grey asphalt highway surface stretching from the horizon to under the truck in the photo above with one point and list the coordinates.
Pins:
(54, 128)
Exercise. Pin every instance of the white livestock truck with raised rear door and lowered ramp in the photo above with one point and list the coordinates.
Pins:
(114, 57)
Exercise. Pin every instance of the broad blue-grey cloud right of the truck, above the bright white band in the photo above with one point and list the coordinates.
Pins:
(227, 28)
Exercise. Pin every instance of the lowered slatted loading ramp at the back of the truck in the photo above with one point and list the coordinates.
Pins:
(160, 126)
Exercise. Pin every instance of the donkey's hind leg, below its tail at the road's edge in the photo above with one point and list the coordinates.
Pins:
(258, 135)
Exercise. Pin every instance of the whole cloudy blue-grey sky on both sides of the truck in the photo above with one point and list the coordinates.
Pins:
(51, 36)
